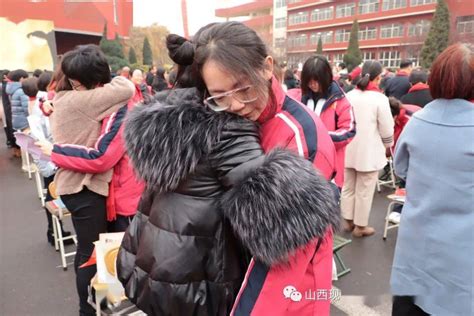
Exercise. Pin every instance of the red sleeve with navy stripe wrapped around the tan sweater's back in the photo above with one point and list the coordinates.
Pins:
(109, 149)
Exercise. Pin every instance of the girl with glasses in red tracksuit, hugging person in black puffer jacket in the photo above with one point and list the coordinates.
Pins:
(235, 73)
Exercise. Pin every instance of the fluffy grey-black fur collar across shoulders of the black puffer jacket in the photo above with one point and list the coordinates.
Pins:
(168, 135)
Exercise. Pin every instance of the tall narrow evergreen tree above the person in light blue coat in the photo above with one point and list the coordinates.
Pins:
(438, 36)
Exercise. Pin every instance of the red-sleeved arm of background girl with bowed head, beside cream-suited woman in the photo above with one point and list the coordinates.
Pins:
(346, 125)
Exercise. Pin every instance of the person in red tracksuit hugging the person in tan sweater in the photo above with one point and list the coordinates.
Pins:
(124, 189)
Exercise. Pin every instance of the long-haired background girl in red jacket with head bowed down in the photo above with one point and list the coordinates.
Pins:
(325, 97)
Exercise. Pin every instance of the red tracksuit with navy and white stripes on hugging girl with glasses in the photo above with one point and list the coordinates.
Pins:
(286, 123)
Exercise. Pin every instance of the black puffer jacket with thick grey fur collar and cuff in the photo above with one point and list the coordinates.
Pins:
(180, 255)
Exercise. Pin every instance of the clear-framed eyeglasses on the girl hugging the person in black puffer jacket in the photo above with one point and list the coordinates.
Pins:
(223, 101)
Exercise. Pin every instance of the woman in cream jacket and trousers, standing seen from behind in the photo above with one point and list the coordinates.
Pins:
(365, 155)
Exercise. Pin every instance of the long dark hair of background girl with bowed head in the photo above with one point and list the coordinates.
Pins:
(316, 68)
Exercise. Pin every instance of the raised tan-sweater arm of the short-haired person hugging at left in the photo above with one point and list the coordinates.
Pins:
(101, 102)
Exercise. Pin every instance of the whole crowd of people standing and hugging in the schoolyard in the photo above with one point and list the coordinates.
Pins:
(227, 180)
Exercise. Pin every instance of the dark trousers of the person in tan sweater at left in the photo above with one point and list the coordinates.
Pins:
(89, 219)
